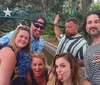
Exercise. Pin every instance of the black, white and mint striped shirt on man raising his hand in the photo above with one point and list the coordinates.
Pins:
(76, 45)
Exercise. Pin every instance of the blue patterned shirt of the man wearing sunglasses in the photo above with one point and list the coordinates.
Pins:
(24, 59)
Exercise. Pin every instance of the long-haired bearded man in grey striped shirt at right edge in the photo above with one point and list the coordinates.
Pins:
(92, 55)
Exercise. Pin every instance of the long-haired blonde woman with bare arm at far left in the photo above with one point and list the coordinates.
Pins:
(20, 40)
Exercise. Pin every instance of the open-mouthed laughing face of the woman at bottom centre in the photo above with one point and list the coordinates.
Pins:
(37, 66)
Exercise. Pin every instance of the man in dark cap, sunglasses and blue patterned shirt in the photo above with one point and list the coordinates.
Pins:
(37, 43)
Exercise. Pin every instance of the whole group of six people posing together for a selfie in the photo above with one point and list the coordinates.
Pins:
(22, 61)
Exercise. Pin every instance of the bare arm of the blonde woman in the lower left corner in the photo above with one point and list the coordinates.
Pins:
(7, 65)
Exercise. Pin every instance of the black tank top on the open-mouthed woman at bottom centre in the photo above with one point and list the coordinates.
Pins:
(33, 79)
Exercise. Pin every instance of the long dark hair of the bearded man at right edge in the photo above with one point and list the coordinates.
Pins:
(84, 23)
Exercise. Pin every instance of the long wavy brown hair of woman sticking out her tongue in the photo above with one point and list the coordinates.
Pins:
(75, 72)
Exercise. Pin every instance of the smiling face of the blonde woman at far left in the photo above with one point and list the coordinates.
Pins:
(22, 39)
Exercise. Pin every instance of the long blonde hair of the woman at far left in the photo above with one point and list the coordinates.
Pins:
(12, 41)
